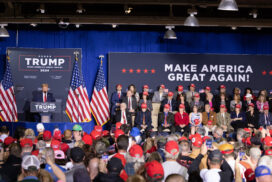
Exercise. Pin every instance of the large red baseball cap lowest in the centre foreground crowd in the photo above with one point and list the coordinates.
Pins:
(154, 170)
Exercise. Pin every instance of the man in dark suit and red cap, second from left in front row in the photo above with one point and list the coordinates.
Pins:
(143, 120)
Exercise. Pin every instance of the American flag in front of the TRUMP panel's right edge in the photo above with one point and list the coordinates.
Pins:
(78, 105)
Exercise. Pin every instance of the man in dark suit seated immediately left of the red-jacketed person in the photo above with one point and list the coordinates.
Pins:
(166, 120)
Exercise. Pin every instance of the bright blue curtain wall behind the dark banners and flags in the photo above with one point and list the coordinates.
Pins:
(94, 43)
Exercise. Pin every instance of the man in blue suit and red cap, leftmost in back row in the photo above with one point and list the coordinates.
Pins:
(116, 98)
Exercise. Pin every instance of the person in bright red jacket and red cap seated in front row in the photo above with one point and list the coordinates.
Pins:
(182, 120)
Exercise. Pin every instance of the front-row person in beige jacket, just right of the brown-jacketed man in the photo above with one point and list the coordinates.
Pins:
(223, 119)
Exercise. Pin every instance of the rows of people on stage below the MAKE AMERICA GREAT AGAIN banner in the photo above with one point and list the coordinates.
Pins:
(182, 111)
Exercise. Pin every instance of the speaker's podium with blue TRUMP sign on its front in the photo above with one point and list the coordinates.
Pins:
(45, 109)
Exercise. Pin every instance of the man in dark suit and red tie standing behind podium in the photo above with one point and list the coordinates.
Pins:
(43, 96)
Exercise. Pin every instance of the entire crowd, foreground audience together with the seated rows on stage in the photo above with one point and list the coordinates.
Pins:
(197, 136)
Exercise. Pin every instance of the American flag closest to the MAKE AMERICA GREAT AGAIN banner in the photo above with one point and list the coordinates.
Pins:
(100, 100)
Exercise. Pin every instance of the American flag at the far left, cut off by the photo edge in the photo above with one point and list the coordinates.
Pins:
(7, 99)
